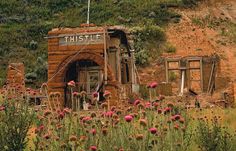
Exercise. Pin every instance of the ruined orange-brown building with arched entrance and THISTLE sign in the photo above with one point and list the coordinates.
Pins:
(96, 58)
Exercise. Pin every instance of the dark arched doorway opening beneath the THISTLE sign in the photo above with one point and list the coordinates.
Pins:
(87, 75)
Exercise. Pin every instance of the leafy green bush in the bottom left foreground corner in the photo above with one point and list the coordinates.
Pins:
(15, 121)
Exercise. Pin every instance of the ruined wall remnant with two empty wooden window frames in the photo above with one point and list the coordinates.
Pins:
(195, 72)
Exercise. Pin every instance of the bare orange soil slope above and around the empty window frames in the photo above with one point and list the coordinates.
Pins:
(192, 39)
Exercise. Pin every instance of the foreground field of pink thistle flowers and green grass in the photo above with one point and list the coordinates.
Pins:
(142, 125)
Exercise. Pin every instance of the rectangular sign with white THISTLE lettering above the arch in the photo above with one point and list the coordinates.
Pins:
(81, 39)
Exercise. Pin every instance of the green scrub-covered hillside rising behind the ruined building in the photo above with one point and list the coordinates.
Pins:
(24, 24)
